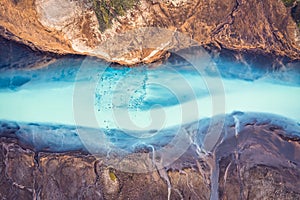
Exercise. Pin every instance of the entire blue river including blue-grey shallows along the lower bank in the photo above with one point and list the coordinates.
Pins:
(88, 105)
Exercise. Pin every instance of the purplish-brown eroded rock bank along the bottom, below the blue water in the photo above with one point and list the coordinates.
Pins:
(261, 162)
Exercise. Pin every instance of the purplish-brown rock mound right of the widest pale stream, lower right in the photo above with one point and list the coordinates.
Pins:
(259, 164)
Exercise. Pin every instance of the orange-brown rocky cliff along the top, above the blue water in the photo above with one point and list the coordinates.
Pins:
(65, 26)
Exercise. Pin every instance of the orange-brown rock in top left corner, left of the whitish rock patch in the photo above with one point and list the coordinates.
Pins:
(19, 22)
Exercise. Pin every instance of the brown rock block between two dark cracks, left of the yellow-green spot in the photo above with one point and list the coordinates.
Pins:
(66, 176)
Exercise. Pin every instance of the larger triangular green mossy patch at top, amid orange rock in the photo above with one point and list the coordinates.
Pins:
(107, 10)
